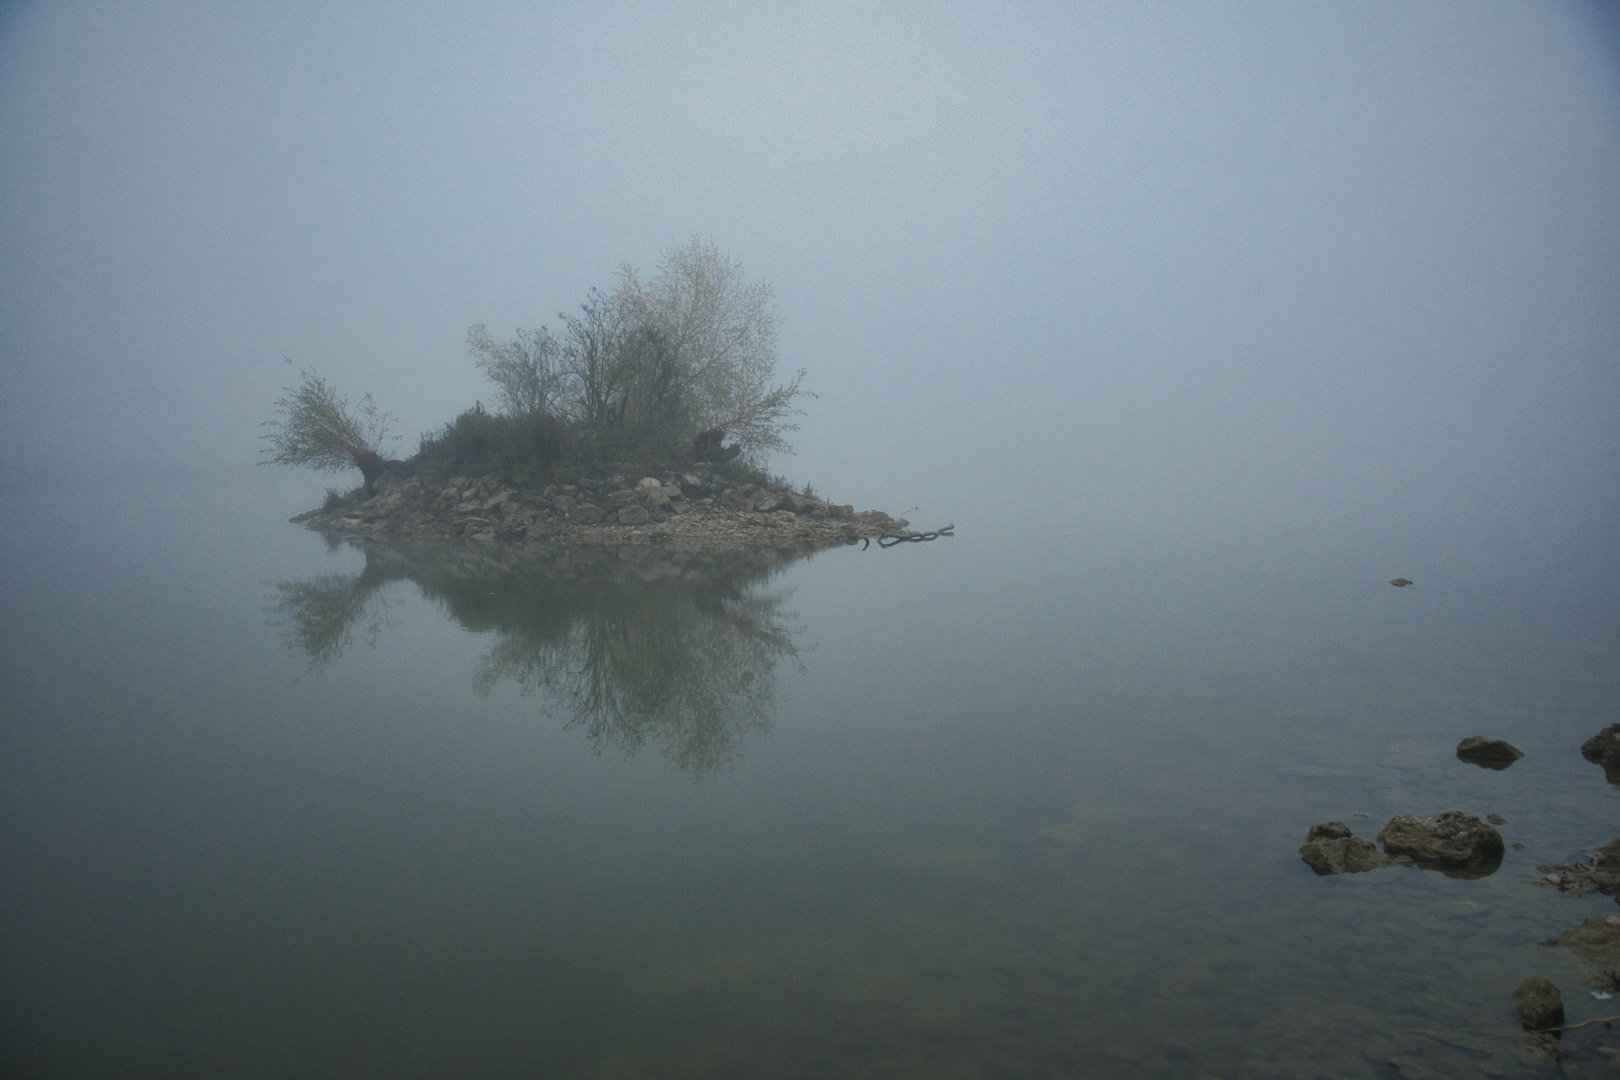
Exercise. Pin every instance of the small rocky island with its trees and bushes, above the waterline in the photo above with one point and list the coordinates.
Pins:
(647, 422)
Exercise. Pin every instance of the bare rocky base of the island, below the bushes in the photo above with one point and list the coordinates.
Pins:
(696, 509)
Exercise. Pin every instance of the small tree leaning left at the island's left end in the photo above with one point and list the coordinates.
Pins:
(317, 427)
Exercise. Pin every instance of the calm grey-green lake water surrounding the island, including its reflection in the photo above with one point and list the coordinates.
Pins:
(1013, 804)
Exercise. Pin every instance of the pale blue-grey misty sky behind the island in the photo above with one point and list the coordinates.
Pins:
(1328, 266)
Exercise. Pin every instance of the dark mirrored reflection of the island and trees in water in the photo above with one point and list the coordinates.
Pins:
(636, 645)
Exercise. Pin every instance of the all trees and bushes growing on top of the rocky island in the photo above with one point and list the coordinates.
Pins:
(667, 368)
